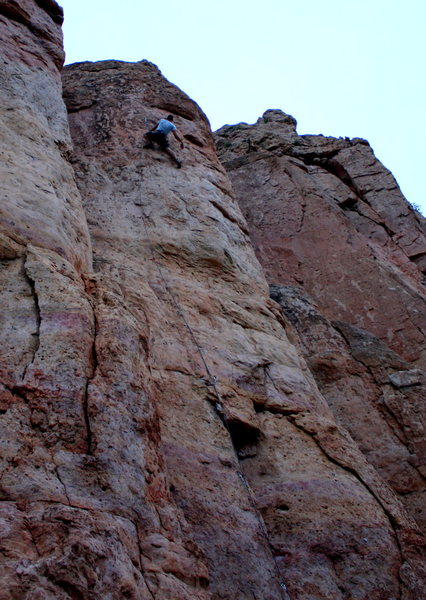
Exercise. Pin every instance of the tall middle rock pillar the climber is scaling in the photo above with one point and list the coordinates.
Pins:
(171, 251)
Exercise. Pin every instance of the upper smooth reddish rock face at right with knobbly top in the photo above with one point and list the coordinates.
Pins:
(324, 214)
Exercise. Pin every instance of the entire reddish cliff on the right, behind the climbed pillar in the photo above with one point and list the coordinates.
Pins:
(344, 254)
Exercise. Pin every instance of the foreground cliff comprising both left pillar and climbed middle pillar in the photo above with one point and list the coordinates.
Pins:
(162, 434)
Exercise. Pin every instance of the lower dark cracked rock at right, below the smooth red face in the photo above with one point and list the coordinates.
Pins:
(374, 394)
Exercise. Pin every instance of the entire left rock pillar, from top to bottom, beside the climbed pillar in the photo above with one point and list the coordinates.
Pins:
(70, 526)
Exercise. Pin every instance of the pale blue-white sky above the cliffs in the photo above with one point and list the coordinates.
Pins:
(351, 68)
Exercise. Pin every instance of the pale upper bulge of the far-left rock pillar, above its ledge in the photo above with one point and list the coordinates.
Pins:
(40, 202)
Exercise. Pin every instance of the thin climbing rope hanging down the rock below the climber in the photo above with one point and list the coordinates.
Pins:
(211, 381)
